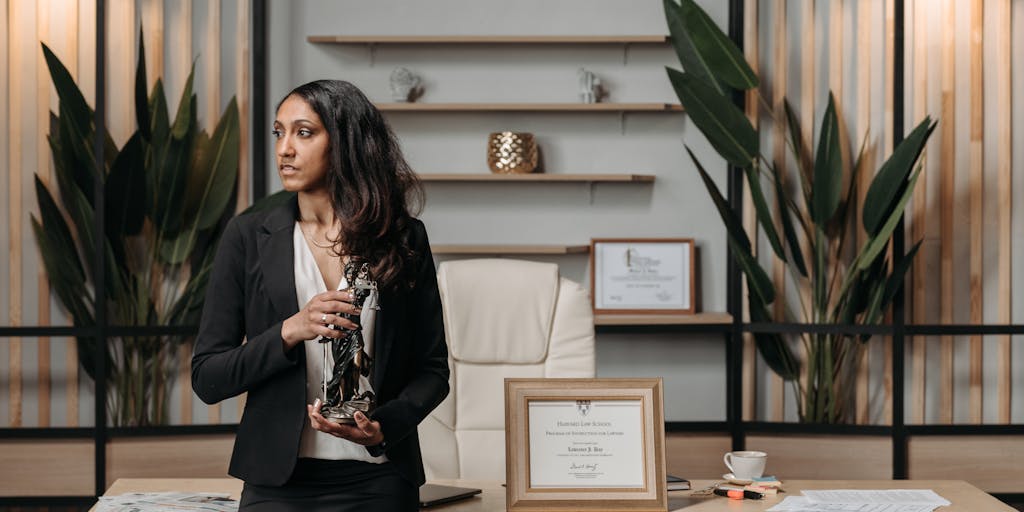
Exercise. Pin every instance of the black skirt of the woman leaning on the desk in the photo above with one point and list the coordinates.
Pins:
(336, 487)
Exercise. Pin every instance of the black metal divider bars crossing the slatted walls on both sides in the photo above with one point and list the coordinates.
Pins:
(734, 333)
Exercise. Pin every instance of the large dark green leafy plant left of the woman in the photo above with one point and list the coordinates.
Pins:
(168, 192)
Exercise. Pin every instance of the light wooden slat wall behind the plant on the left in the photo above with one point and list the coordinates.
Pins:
(33, 366)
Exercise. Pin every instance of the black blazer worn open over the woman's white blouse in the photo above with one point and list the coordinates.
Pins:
(251, 292)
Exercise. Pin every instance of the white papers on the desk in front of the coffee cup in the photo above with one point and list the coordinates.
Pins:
(863, 501)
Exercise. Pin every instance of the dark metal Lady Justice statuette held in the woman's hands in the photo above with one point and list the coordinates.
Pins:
(343, 395)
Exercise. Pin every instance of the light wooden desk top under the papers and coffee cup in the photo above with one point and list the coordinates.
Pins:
(965, 498)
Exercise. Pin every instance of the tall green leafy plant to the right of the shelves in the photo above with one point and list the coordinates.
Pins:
(813, 229)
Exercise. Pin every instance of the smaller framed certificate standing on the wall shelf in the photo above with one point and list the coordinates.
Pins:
(643, 276)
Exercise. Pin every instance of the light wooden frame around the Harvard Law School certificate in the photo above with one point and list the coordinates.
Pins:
(524, 494)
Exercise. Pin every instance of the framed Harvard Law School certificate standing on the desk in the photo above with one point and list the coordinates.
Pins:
(585, 445)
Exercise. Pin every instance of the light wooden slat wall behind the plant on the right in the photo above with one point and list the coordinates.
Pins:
(955, 61)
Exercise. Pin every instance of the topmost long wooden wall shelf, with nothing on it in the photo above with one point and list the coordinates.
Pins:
(473, 39)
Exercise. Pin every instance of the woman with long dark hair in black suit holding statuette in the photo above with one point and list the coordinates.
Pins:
(354, 191)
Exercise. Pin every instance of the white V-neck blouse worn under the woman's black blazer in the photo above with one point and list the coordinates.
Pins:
(309, 283)
